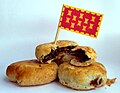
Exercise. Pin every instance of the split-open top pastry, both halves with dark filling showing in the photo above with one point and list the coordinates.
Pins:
(65, 50)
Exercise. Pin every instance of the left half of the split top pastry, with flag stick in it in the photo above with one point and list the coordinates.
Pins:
(48, 52)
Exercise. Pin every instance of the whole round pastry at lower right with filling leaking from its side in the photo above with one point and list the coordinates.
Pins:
(82, 78)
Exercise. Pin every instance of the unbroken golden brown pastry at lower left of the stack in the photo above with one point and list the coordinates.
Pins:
(31, 72)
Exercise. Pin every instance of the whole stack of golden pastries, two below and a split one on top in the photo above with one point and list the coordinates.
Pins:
(74, 65)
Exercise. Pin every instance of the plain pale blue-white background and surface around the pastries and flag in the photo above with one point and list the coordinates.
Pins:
(26, 23)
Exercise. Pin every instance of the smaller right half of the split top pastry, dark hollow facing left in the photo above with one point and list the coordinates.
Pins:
(83, 56)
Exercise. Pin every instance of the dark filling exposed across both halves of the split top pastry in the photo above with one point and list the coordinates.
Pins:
(79, 54)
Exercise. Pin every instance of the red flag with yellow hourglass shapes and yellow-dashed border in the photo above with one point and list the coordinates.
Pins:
(80, 21)
